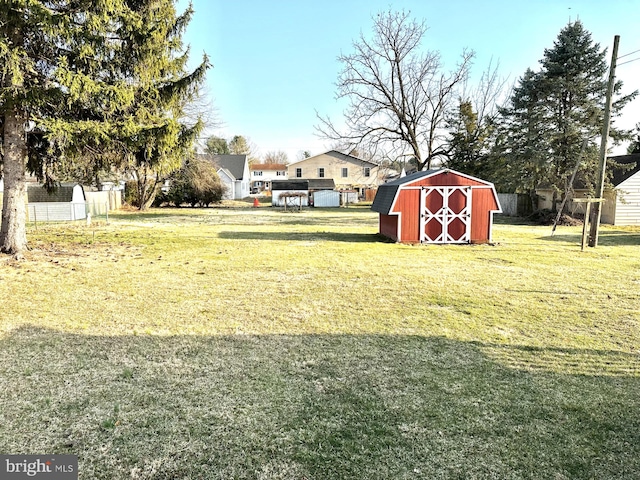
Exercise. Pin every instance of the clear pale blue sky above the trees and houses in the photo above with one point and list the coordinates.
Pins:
(275, 61)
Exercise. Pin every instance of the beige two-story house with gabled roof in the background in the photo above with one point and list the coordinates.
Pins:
(348, 172)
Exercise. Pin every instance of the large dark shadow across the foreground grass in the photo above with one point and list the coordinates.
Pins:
(317, 406)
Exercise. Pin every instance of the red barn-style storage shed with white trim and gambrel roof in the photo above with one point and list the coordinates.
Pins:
(437, 206)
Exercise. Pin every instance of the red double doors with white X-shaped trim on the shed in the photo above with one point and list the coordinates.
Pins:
(445, 214)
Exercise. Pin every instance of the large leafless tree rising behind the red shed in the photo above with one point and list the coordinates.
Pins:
(398, 94)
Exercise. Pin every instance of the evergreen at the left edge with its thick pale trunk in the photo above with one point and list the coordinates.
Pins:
(54, 59)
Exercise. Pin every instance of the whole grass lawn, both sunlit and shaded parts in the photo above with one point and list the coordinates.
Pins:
(251, 343)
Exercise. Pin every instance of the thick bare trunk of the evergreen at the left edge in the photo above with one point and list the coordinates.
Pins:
(13, 234)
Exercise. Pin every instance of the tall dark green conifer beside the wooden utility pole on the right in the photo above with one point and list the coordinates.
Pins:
(552, 112)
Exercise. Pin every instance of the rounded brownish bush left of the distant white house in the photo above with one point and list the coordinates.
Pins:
(196, 183)
